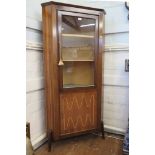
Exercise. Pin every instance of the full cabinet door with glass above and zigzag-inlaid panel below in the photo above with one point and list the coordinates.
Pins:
(78, 49)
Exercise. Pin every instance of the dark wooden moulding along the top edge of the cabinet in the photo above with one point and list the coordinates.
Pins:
(73, 5)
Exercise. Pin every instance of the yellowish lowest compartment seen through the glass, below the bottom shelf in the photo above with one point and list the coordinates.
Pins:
(78, 74)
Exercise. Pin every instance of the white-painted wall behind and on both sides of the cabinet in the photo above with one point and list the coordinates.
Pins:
(115, 84)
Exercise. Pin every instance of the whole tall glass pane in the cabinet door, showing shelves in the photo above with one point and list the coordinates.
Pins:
(77, 47)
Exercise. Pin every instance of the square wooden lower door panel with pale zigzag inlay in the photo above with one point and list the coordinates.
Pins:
(78, 111)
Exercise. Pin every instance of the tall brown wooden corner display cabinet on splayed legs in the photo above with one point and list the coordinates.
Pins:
(73, 38)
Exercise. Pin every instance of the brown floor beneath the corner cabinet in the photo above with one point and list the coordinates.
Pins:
(85, 145)
